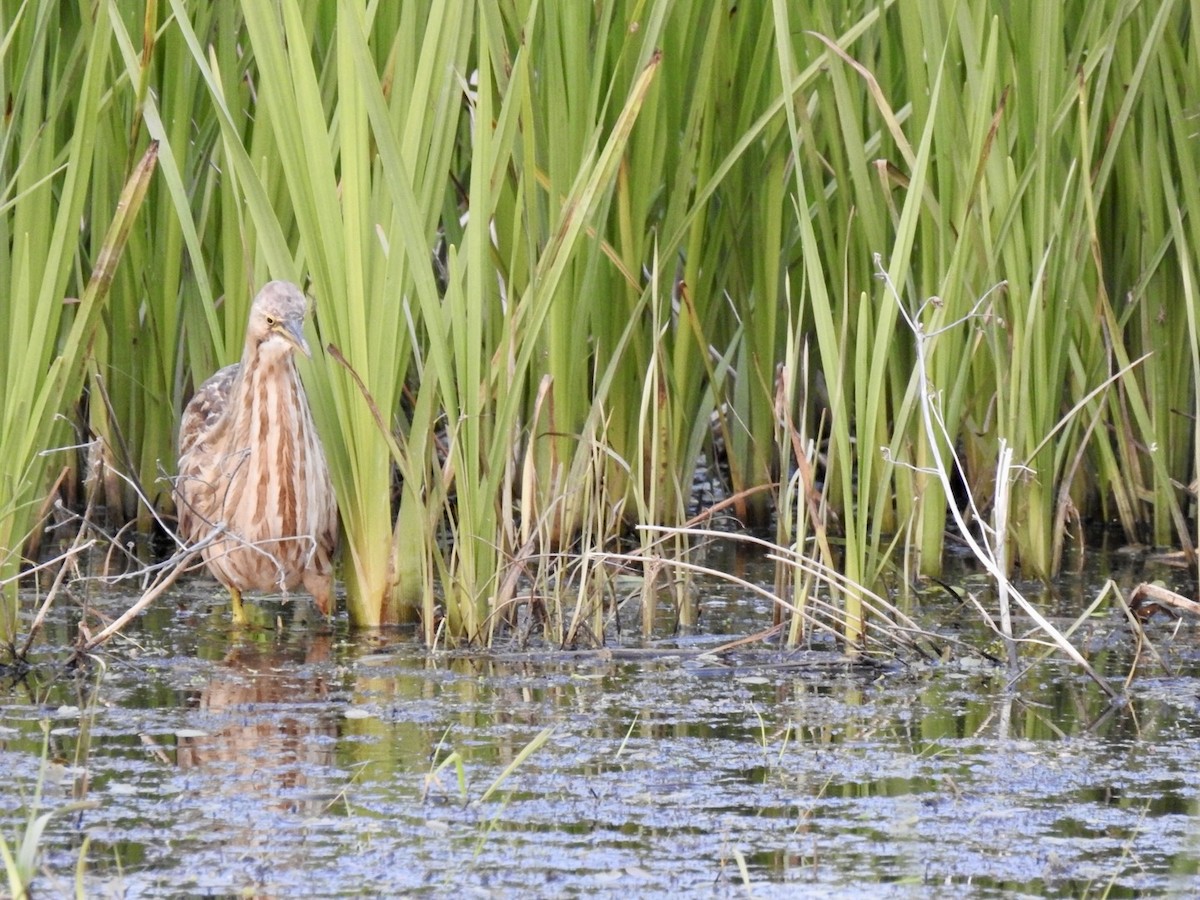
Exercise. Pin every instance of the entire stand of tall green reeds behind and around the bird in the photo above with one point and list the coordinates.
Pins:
(561, 253)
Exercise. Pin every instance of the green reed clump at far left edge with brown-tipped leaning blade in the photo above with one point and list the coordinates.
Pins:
(55, 79)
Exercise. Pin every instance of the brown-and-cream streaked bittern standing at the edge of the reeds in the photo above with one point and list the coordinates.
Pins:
(251, 464)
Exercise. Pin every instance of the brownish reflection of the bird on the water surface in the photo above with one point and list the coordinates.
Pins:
(262, 725)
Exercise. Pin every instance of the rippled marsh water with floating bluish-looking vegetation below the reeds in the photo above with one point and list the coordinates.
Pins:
(299, 764)
